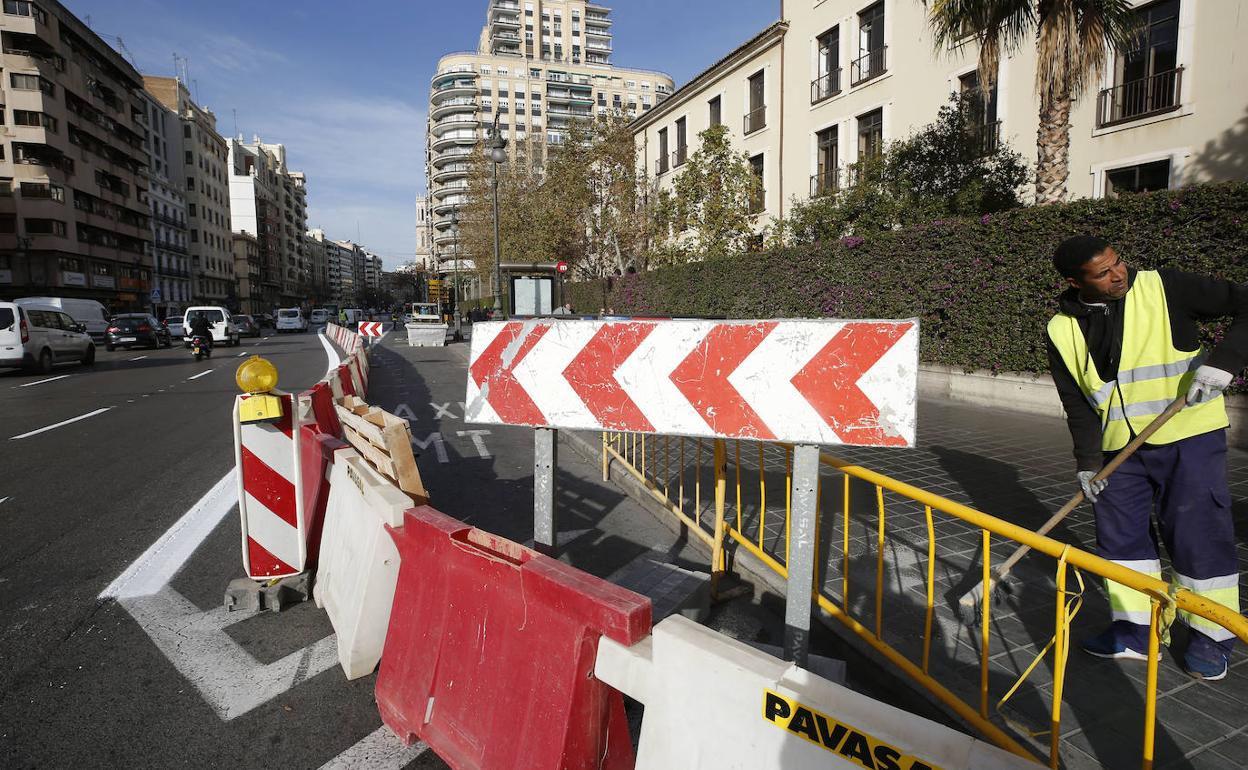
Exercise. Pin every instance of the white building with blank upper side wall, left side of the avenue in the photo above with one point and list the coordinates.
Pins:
(269, 202)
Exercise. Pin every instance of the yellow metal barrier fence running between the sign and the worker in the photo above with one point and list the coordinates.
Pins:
(673, 470)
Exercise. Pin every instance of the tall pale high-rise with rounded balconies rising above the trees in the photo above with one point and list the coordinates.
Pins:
(539, 67)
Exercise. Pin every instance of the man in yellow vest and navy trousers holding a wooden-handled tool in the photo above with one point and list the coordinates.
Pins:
(1124, 345)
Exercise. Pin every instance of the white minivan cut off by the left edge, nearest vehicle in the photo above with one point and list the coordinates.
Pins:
(37, 338)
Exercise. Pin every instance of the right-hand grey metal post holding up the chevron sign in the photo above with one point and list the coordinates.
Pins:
(802, 553)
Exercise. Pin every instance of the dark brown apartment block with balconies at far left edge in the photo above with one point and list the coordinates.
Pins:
(74, 209)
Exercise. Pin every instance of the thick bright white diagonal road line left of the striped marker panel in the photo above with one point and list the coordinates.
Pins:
(167, 556)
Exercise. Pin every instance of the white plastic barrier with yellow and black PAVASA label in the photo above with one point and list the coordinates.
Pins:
(714, 703)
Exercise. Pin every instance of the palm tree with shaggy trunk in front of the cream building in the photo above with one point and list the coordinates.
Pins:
(1073, 41)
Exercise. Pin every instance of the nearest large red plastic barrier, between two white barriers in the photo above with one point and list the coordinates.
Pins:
(490, 655)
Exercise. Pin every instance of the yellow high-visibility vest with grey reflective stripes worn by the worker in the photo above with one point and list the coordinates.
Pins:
(1151, 371)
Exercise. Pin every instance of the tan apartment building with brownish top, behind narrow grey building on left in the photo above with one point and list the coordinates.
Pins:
(204, 170)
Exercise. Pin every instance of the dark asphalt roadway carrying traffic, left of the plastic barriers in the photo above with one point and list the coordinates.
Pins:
(82, 685)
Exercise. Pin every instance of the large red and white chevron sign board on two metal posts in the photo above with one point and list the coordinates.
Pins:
(817, 383)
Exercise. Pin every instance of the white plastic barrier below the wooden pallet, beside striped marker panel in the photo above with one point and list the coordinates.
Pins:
(359, 561)
